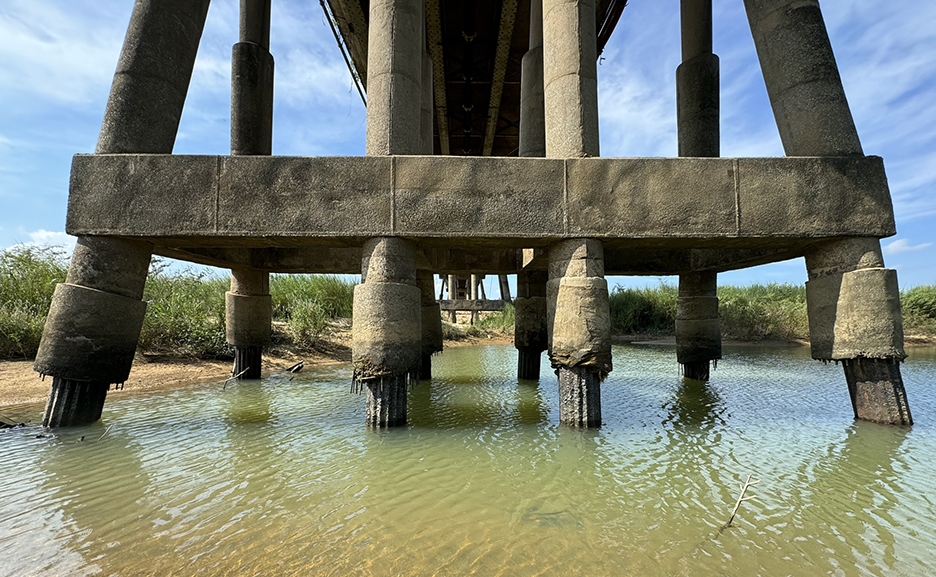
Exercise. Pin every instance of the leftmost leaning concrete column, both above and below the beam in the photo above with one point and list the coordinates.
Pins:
(95, 318)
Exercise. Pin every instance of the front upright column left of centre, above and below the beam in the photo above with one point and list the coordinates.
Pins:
(387, 333)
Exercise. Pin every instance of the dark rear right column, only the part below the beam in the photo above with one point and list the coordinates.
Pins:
(698, 329)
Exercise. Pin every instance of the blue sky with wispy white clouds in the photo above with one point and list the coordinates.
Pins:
(58, 58)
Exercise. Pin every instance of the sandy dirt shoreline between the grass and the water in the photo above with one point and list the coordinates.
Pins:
(19, 384)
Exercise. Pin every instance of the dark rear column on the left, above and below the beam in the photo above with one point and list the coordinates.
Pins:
(248, 315)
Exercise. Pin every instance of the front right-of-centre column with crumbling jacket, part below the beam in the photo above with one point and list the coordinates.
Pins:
(579, 328)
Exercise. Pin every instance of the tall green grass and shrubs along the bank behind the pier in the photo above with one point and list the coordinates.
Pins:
(185, 312)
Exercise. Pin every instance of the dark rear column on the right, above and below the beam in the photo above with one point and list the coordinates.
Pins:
(698, 330)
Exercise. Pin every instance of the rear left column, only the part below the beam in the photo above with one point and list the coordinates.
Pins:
(248, 320)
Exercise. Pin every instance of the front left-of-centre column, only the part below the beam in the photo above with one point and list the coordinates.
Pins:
(387, 329)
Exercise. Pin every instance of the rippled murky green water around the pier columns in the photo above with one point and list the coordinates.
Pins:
(281, 477)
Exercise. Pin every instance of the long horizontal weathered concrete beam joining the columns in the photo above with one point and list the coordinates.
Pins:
(467, 202)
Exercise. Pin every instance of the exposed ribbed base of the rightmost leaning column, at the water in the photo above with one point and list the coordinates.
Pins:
(877, 391)
